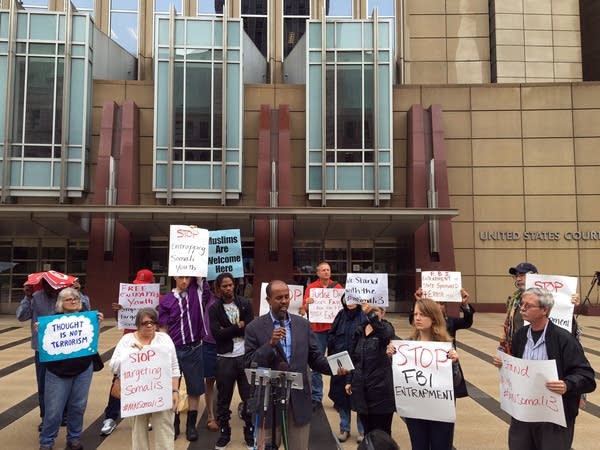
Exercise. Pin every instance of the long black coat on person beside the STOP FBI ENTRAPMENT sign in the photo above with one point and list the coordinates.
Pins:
(372, 380)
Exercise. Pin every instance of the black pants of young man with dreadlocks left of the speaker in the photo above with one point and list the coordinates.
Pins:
(228, 372)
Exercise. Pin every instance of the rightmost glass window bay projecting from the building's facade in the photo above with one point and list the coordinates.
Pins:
(358, 108)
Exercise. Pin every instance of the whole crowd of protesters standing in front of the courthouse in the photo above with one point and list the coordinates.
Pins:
(211, 337)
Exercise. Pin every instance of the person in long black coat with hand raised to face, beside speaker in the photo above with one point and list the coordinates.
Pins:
(371, 383)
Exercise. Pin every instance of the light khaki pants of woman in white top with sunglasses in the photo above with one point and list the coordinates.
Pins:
(162, 430)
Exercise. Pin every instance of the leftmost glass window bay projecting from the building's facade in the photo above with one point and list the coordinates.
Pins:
(35, 130)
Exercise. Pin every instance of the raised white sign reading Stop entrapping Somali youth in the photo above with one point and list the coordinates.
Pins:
(188, 251)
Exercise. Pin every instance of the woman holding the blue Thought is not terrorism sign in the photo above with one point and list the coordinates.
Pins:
(67, 384)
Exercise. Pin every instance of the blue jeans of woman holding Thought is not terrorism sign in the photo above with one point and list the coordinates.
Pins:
(71, 392)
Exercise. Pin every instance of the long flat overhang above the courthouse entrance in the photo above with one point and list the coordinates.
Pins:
(309, 223)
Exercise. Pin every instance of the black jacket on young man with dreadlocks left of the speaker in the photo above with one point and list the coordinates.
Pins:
(222, 329)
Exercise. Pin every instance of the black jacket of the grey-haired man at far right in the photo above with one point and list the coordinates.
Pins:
(571, 364)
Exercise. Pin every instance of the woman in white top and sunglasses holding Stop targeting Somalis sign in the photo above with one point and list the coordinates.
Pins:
(146, 334)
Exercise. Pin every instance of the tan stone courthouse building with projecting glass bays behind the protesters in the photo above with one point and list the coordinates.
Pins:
(388, 136)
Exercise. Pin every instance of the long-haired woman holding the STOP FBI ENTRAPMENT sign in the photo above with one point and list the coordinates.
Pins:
(429, 325)
